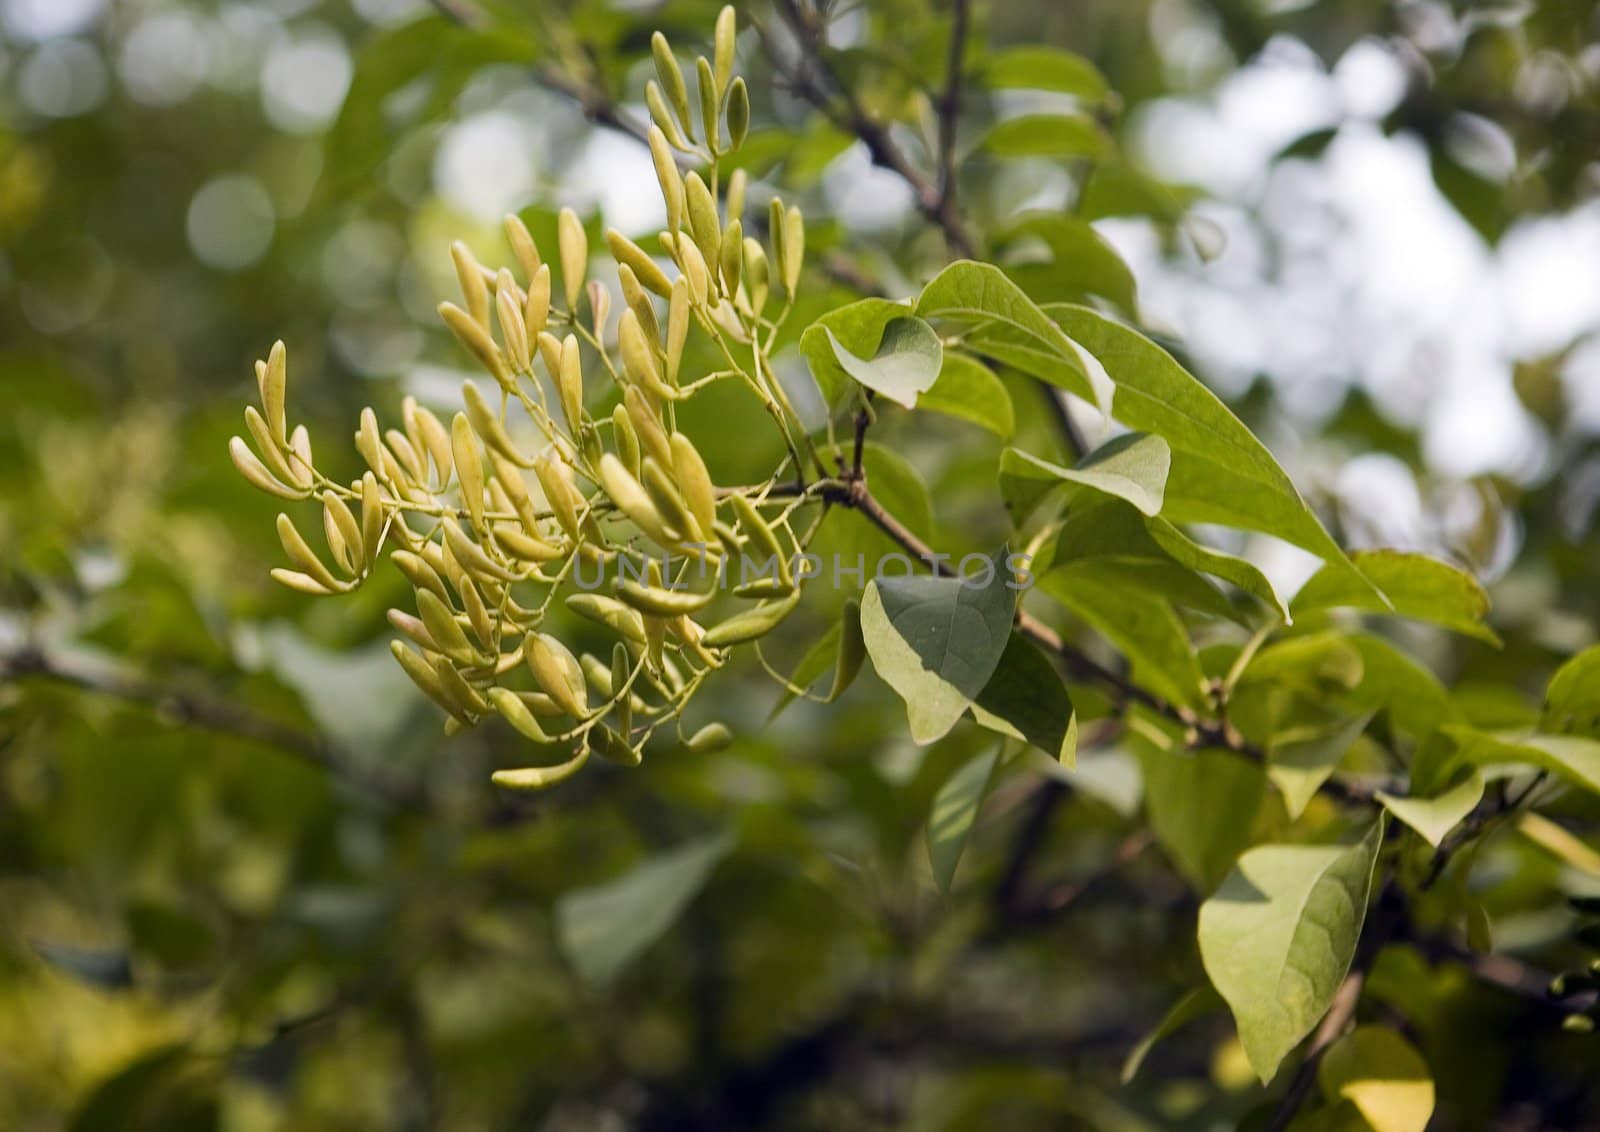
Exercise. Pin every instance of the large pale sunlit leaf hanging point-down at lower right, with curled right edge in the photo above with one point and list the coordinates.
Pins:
(1279, 936)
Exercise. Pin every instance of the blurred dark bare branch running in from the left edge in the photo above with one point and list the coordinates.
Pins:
(212, 715)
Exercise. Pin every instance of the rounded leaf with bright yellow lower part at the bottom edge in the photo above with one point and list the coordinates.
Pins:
(1380, 1074)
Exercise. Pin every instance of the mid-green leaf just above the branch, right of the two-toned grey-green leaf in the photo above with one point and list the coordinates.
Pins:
(1145, 629)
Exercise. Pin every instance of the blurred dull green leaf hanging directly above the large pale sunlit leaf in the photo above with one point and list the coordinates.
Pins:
(1202, 808)
